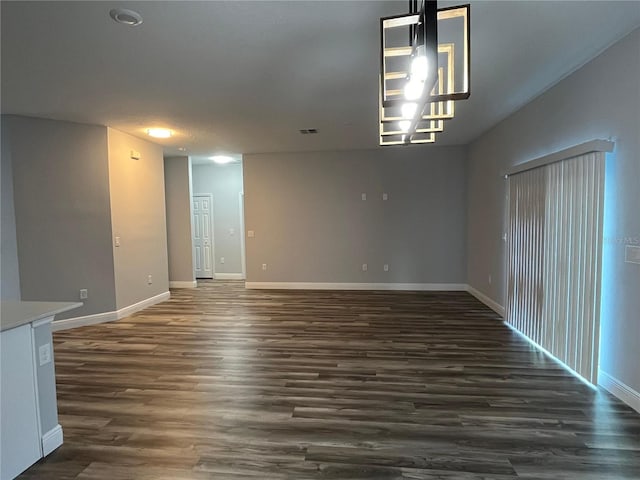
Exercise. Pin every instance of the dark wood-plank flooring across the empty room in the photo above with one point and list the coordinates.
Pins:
(227, 383)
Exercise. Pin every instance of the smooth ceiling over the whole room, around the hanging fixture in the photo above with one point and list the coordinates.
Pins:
(244, 77)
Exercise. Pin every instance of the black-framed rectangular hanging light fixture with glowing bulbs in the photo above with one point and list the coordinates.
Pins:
(424, 69)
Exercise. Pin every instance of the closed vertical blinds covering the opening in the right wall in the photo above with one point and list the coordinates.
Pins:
(555, 258)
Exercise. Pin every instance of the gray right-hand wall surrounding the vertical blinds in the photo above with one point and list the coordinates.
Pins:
(600, 100)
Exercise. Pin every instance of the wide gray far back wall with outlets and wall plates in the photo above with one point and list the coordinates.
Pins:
(311, 224)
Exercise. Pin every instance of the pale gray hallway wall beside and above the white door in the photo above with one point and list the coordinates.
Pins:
(225, 183)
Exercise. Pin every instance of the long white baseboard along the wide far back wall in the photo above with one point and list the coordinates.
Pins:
(357, 286)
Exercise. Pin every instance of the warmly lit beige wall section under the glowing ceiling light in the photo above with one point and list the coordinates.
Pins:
(138, 218)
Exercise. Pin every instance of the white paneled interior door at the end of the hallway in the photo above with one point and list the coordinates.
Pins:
(203, 235)
